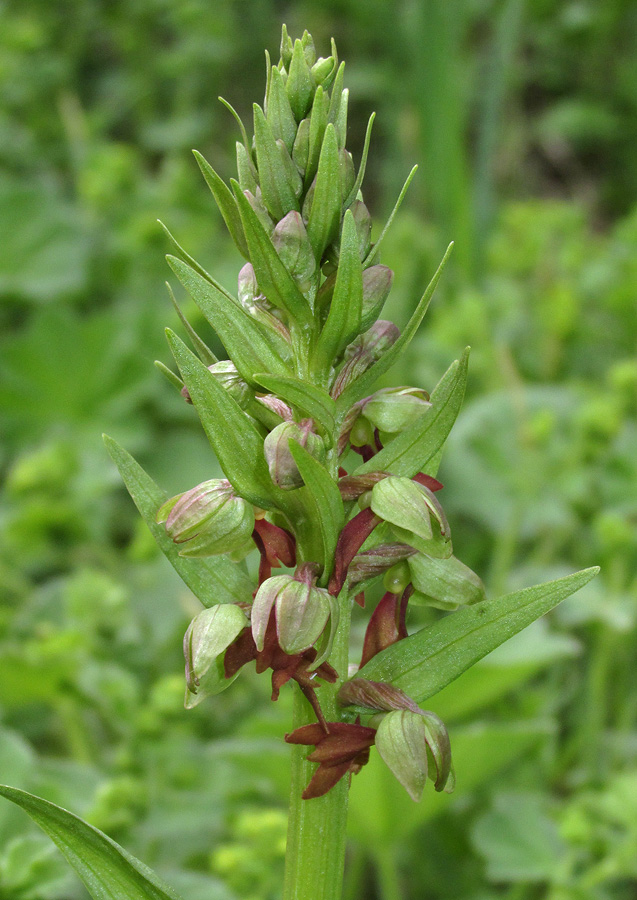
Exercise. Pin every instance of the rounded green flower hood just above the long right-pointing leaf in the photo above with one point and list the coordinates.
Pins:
(443, 583)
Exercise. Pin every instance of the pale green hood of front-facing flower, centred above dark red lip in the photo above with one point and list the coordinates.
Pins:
(301, 613)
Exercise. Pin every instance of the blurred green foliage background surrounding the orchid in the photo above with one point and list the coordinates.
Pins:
(523, 118)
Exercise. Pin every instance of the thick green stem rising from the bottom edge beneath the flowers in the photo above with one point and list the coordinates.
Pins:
(315, 855)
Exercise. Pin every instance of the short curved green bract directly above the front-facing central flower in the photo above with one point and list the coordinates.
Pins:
(324, 496)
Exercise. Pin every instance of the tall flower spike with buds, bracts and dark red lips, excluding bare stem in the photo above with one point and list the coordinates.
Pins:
(286, 413)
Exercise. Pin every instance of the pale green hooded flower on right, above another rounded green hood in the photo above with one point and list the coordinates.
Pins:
(409, 508)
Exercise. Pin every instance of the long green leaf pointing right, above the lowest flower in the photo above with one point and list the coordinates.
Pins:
(421, 665)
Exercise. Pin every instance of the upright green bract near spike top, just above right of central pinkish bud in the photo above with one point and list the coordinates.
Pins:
(325, 213)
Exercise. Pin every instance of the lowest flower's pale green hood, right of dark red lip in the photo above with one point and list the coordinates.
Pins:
(403, 740)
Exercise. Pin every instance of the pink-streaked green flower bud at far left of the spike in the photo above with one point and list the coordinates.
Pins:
(208, 519)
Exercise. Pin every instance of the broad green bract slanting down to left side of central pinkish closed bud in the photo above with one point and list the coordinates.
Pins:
(236, 442)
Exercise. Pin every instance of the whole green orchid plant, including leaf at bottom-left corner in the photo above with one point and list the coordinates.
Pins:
(328, 481)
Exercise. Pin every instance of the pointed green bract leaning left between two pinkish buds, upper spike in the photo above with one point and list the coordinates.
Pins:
(272, 277)
